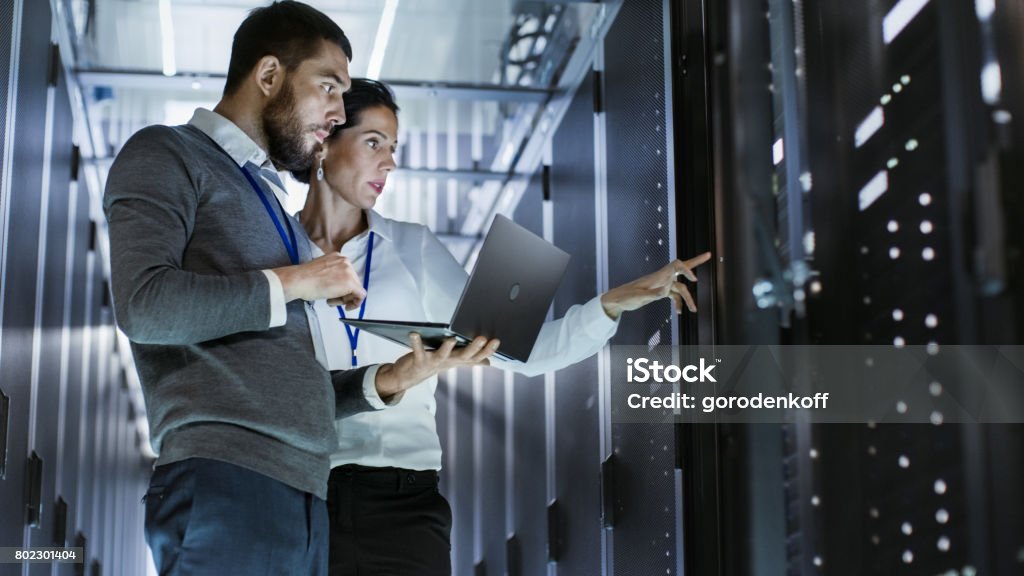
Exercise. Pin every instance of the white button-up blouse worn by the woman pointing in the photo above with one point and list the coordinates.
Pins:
(415, 278)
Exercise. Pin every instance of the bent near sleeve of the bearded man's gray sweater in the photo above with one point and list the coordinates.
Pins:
(151, 203)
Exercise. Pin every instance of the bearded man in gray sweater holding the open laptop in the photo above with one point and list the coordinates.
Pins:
(211, 279)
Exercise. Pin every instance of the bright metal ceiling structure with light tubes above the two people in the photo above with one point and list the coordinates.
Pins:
(474, 78)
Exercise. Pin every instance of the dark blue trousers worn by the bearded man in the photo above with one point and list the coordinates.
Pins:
(210, 518)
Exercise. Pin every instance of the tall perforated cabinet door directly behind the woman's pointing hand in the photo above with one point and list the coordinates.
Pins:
(639, 201)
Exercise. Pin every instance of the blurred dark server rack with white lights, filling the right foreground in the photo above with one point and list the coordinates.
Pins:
(868, 143)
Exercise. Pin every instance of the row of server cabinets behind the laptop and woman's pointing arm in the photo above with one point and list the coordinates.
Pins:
(587, 498)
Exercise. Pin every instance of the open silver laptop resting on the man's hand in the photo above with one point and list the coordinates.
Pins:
(507, 297)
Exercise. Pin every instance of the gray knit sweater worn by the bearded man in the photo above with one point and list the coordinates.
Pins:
(189, 238)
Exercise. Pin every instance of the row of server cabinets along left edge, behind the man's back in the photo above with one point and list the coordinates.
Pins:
(71, 466)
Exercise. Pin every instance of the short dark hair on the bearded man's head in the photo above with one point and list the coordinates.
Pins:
(291, 31)
